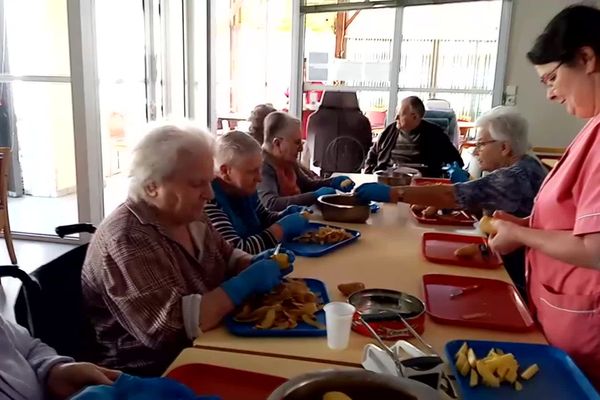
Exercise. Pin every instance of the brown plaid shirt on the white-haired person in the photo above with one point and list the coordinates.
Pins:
(134, 278)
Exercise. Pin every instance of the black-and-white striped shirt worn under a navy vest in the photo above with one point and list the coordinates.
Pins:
(253, 244)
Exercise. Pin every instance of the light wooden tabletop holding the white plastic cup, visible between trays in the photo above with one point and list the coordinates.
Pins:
(388, 255)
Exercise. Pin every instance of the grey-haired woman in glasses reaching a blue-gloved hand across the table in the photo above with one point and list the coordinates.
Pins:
(512, 183)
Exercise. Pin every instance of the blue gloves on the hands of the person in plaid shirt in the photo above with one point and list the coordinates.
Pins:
(260, 277)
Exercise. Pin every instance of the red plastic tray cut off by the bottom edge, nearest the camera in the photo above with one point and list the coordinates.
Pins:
(227, 383)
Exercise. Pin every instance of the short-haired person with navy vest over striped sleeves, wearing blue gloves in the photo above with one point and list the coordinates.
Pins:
(236, 212)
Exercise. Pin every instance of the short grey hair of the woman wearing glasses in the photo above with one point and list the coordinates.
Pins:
(506, 124)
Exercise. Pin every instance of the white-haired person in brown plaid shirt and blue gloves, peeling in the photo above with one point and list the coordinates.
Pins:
(157, 274)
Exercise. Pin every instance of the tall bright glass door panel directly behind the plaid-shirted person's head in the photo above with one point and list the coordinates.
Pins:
(140, 51)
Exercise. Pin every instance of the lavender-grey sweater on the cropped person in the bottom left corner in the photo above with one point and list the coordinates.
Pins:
(24, 363)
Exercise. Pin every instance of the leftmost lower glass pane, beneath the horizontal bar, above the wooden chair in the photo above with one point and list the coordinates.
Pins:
(43, 148)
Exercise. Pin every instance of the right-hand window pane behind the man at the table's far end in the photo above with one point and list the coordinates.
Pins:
(445, 55)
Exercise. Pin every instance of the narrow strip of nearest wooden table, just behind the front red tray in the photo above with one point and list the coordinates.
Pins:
(269, 365)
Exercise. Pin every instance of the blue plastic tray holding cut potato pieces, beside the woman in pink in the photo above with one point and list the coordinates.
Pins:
(558, 378)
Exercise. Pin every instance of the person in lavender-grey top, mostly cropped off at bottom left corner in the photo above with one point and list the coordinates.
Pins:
(32, 370)
